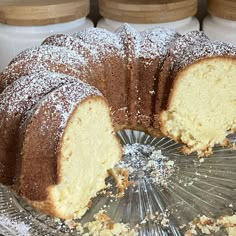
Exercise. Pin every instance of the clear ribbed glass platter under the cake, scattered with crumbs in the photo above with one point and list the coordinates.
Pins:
(167, 190)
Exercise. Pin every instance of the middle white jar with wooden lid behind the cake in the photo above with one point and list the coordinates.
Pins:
(174, 14)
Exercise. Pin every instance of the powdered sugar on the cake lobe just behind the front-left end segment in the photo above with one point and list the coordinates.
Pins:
(27, 90)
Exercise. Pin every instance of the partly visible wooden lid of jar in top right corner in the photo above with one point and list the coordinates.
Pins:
(222, 8)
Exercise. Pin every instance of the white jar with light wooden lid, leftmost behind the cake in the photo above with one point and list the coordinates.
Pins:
(27, 23)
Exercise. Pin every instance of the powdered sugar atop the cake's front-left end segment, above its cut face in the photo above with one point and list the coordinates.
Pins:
(58, 105)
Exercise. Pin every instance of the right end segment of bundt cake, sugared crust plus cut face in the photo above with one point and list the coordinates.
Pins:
(201, 107)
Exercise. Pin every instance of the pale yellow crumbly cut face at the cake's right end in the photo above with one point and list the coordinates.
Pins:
(202, 106)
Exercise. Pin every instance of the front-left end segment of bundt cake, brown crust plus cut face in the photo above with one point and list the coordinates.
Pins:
(67, 145)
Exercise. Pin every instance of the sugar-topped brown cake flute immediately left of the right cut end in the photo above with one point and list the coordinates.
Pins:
(154, 46)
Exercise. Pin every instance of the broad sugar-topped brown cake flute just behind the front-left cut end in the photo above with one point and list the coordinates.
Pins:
(108, 57)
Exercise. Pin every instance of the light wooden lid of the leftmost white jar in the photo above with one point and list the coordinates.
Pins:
(41, 12)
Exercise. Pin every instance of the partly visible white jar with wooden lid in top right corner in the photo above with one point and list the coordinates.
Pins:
(220, 24)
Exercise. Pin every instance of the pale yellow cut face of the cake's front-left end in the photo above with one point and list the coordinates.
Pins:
(87, 147)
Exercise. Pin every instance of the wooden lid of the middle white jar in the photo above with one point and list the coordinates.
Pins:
(147, 11)
